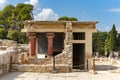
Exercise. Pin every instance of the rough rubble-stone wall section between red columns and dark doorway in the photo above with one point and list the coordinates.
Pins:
(65, 57)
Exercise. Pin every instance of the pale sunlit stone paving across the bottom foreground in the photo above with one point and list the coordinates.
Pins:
(101, 75)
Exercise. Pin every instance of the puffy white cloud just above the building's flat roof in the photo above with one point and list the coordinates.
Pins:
(46, 14)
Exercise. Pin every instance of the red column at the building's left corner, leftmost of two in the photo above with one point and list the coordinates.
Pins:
(32, 44)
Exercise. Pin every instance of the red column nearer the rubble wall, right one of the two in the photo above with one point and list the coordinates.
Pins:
(50, 37)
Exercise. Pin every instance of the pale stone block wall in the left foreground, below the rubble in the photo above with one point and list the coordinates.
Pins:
(5, 61)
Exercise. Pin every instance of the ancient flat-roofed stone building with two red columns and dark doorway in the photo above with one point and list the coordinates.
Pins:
(70, 41)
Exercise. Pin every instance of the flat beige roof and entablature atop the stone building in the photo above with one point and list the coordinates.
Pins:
(56, 26)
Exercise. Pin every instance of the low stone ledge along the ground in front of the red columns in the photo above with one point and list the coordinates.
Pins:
(39, 68)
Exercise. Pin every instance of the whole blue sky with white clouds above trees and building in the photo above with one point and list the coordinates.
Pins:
(106, 12)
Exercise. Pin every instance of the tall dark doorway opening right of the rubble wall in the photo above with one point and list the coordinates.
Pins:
(79, 56)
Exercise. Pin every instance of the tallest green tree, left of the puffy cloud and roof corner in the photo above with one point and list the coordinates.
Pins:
(21, 13)
